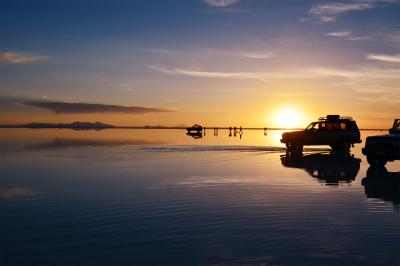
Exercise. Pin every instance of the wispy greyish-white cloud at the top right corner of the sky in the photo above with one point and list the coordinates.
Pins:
(329, 12)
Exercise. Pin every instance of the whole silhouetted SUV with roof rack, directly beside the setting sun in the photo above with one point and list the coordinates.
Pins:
(334, 130)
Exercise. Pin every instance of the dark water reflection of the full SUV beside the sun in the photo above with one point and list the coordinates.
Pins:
(330, 168)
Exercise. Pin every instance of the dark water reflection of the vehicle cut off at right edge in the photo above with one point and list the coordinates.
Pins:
(381, 184)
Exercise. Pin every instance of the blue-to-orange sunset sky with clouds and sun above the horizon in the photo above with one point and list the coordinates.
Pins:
(250, 63)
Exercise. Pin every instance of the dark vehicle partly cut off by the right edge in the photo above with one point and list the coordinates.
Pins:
(381, 149)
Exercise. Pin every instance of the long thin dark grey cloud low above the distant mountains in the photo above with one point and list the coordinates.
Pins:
(86, 108)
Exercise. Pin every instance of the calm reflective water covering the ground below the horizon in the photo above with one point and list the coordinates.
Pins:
(158, 197)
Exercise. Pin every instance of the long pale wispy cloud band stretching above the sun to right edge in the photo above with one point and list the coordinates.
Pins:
(384, 81)
